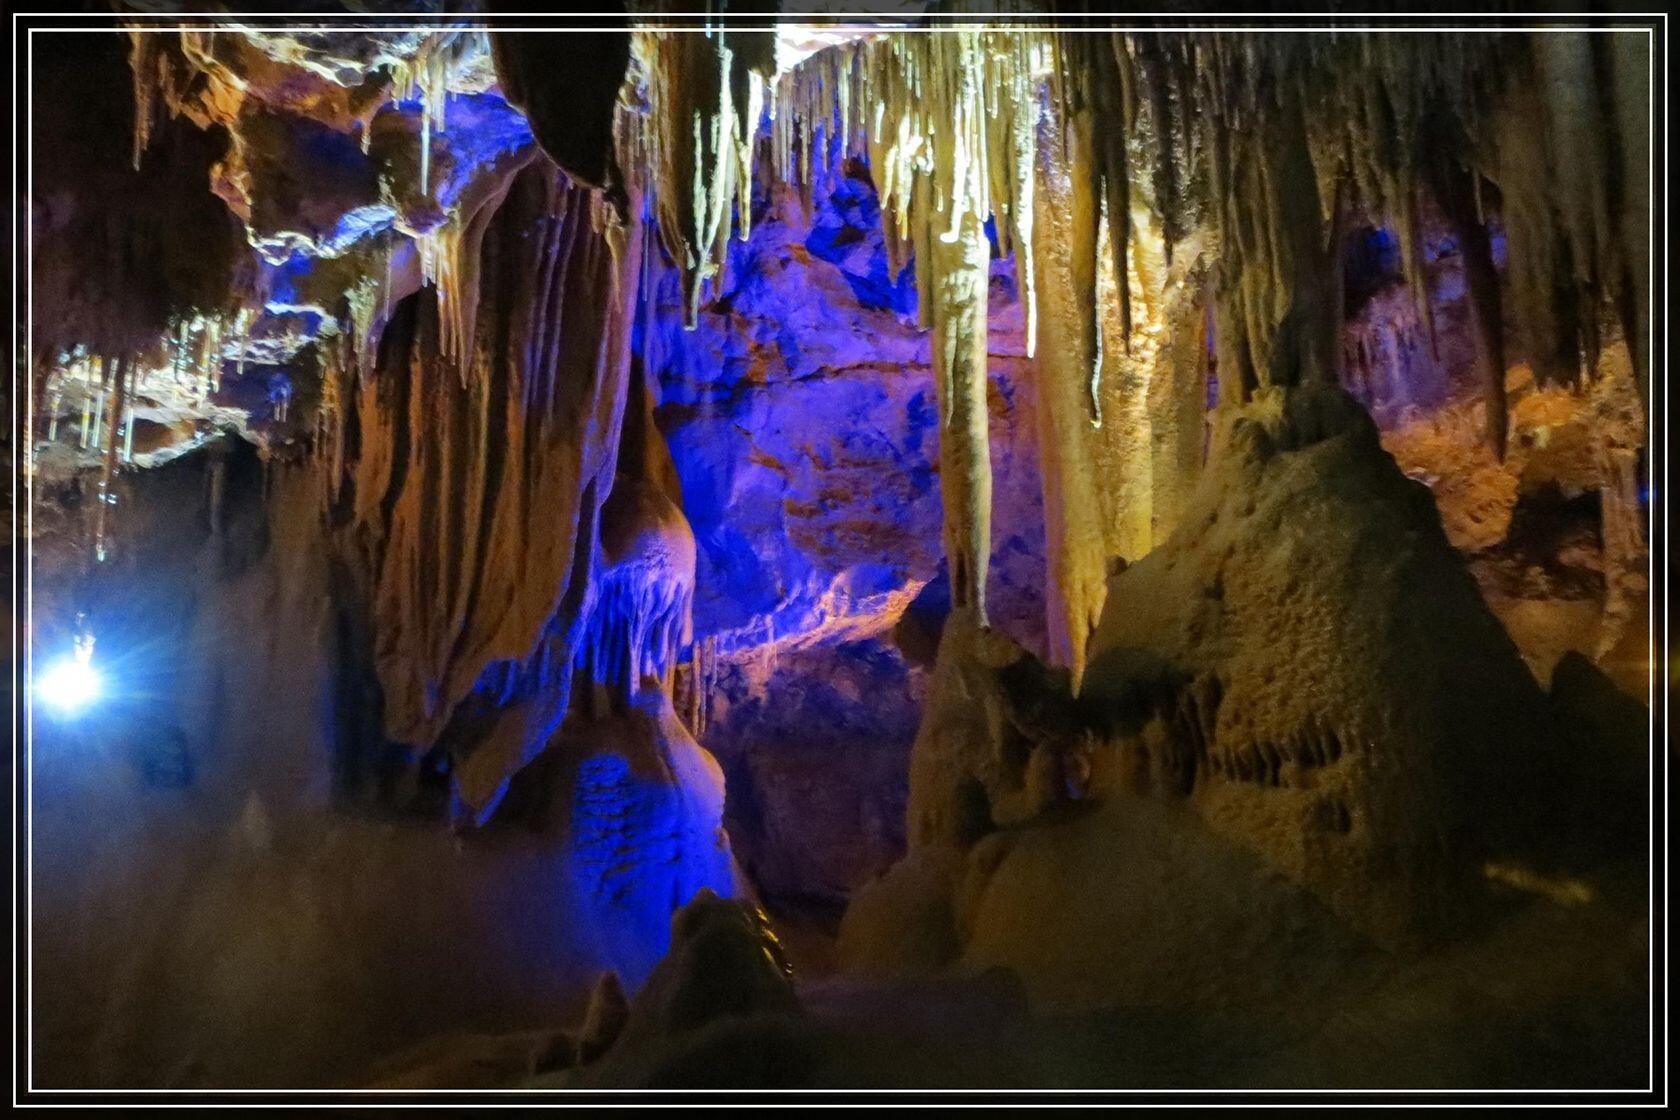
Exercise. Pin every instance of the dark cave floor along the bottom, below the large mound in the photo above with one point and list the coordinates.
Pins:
(1546, 997)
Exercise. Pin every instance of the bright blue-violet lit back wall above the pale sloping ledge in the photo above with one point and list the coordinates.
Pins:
(802, 421)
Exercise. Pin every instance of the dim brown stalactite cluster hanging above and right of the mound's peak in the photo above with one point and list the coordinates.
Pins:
(1543, 137)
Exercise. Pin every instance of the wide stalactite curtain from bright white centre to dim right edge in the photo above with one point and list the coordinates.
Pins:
(1271, 142)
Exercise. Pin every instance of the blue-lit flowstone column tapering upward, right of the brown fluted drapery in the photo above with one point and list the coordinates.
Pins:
(646, 800)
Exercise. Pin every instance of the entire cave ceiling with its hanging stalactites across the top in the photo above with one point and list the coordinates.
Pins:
(328, 177)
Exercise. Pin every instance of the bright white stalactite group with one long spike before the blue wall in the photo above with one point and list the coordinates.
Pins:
(952, 142)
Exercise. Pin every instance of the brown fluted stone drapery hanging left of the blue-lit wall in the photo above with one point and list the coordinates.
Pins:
(475, 489)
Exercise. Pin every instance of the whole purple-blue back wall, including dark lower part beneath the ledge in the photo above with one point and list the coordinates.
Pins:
(802, 422)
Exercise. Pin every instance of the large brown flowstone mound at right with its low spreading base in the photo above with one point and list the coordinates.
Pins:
(1301, 736)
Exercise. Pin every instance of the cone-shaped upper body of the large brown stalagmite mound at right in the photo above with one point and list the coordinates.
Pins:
(1362, 733)
